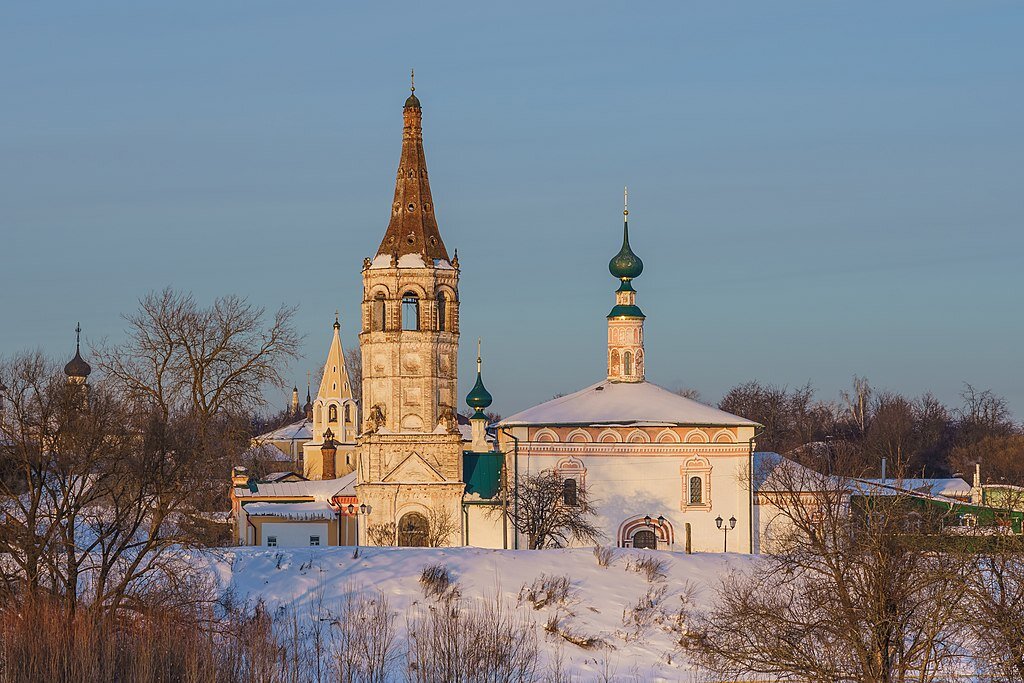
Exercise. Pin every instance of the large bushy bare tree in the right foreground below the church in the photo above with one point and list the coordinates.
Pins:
(850, 592)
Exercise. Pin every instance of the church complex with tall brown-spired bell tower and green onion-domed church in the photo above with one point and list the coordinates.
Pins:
(401, 468)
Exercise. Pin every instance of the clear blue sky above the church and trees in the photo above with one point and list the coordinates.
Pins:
(818, 190)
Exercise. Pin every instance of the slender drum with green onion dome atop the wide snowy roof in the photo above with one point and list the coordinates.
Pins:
(626, 356)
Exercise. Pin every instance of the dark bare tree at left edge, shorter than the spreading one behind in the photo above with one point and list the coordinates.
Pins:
(101, 494)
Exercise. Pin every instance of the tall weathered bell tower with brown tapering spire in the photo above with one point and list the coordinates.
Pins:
(410, 467)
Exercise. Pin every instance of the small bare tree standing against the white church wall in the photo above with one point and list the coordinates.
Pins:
(547, 517)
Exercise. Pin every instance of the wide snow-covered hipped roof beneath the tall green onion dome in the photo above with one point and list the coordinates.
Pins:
(625, 404)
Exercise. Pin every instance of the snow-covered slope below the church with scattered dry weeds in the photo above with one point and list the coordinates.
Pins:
(601, 595)
